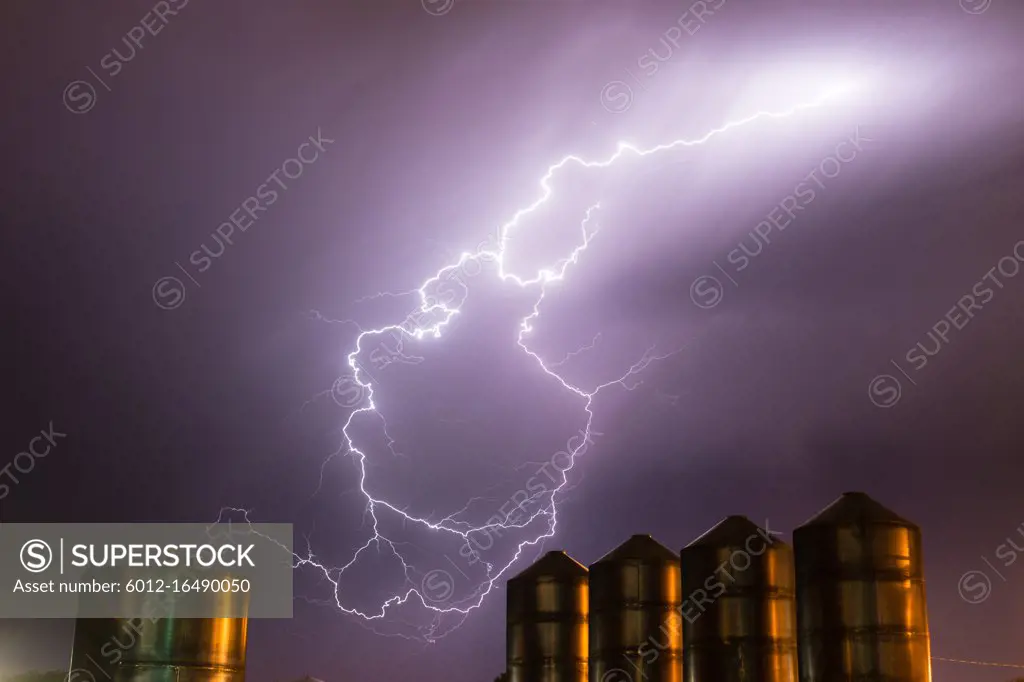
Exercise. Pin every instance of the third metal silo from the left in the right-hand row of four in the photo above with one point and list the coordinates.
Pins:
(739, 607)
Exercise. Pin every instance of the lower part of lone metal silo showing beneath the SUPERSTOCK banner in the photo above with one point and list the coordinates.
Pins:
(159, 651)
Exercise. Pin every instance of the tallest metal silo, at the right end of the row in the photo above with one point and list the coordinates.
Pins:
(861, 592)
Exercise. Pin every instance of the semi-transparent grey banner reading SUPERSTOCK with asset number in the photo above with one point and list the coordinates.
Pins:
(154, 571)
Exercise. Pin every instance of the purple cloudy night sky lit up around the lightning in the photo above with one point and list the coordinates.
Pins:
(819, 303)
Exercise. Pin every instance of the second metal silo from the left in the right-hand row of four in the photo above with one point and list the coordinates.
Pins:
(636, 630)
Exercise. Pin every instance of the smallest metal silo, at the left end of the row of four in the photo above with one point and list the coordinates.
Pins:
(547, 622)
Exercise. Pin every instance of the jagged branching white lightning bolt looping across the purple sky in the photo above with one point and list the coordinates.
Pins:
(431, 319)
